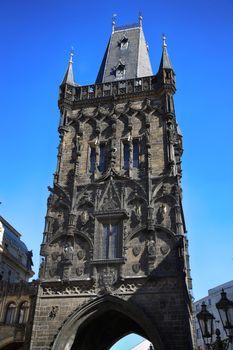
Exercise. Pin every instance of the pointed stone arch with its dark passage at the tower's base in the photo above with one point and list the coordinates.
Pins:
(86, 324)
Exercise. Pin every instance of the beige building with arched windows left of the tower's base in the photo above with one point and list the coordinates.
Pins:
(17, 295)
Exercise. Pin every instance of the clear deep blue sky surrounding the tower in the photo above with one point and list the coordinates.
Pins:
(36, 37)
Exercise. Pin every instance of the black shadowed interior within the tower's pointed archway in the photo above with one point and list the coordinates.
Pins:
(101, 332)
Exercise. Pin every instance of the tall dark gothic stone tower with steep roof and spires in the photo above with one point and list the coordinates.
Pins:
(114, 247)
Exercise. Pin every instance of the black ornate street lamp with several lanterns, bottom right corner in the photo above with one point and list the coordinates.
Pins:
(205, 320)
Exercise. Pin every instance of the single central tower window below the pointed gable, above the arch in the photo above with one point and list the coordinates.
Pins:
(110, 241)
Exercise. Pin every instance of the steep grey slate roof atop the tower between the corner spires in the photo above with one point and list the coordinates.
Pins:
(134, 57)
